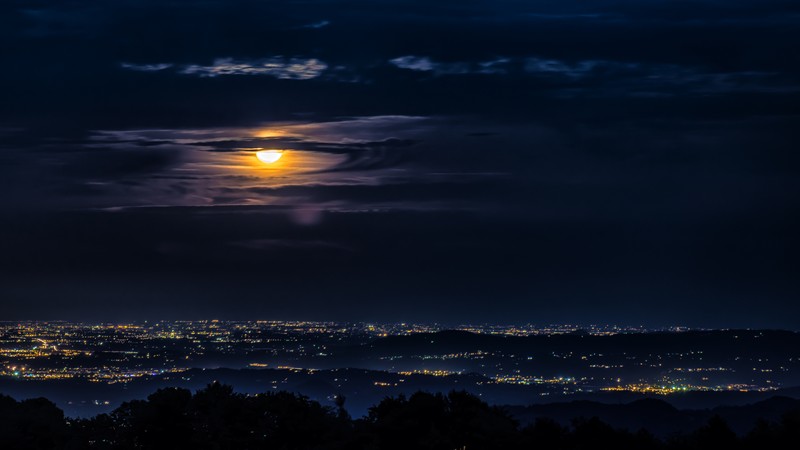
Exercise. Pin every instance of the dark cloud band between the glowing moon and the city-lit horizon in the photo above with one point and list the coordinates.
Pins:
(415, 261)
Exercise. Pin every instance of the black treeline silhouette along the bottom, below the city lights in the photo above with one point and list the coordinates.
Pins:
(218, 418)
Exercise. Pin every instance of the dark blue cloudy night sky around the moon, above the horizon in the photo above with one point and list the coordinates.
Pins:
(606, 161)
